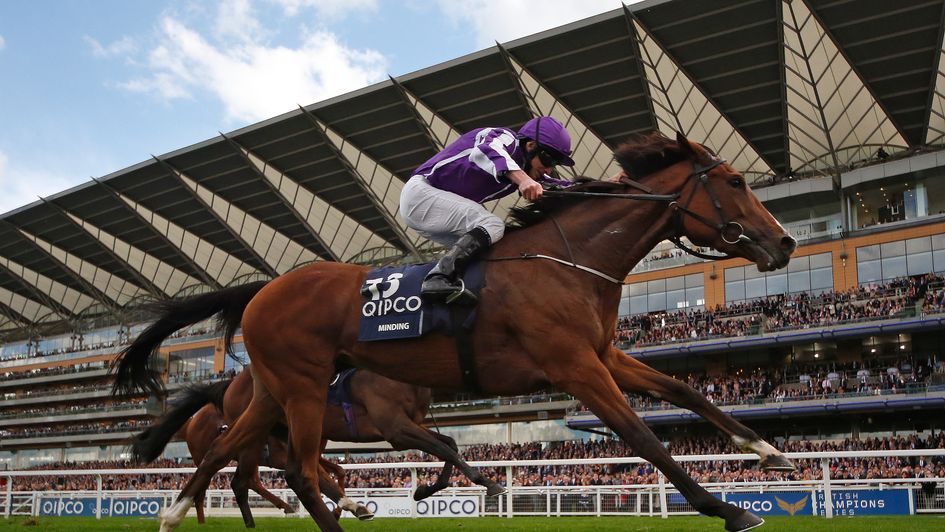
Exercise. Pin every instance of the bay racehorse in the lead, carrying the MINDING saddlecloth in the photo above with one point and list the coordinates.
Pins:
(546, 319)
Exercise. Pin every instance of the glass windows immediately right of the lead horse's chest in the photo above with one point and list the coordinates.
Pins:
(683, 292)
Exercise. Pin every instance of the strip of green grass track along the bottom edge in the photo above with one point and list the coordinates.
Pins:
(489, 524)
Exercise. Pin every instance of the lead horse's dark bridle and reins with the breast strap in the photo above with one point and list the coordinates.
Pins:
(701, 172)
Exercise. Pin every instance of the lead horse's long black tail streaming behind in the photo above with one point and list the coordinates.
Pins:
(131, 368)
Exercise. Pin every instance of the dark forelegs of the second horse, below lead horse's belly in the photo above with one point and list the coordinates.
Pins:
(407, 435)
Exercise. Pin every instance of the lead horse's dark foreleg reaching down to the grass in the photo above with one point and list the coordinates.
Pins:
(589, 381)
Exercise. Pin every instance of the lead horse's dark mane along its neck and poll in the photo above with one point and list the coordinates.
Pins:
(638, 157)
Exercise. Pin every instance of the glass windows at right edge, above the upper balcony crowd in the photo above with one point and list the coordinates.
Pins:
(879, 263)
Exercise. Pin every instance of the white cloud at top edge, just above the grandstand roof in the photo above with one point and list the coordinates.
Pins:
(511, 19)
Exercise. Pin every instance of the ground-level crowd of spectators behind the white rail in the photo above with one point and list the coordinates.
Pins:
(566, 475)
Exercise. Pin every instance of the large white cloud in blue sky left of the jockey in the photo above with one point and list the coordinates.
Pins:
(253, 80)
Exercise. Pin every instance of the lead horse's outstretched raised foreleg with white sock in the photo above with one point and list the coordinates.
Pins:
(636, 377)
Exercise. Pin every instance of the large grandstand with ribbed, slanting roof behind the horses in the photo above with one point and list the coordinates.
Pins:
(835, 116)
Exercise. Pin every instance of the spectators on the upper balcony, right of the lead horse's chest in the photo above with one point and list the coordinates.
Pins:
(794, 311)
